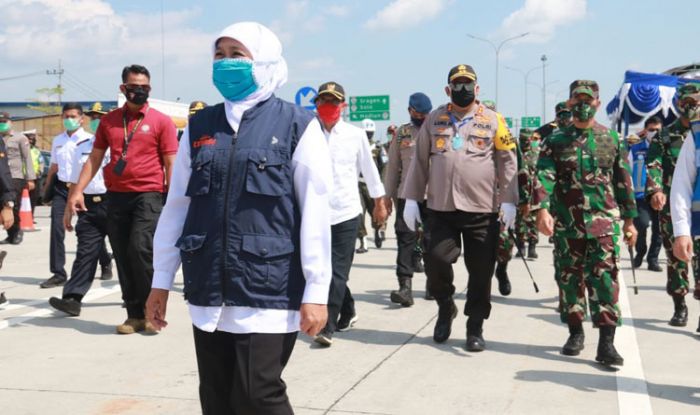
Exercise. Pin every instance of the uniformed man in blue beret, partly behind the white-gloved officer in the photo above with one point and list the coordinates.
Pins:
(401, 151)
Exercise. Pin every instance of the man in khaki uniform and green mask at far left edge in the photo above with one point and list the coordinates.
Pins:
(19, 159)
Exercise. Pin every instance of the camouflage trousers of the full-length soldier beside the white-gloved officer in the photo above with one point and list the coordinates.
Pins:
(588, 265)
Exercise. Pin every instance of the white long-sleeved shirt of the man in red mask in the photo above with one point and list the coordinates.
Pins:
(350, 156)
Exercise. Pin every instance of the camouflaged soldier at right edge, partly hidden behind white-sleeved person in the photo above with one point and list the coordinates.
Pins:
(661, 163)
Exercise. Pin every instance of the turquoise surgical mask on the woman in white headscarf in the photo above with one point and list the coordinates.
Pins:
(234, 78)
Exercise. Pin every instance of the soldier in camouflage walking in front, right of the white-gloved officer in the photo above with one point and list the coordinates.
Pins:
(584, 180)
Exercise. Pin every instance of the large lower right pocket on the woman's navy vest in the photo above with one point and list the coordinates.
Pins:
(266, 262)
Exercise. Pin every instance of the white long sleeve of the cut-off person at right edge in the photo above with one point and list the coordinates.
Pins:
(682, 187)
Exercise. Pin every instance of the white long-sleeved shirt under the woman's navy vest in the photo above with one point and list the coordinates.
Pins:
(311, 175)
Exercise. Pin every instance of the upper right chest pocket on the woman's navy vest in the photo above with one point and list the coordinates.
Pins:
(267, 173)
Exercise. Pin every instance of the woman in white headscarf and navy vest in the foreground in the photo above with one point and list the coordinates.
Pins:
(247, 216)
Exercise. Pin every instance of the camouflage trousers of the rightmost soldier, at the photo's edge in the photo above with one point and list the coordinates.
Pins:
(677, 284)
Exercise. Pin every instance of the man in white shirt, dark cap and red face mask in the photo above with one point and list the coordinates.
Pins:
(350, 157)
